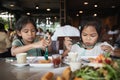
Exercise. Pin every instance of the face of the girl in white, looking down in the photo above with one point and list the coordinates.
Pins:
(89, 36)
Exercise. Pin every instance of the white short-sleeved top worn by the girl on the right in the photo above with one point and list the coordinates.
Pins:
(90, 53)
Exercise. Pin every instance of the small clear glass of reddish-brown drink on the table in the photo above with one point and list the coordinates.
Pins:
(56, 59)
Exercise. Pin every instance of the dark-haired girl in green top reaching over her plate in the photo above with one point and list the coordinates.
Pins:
(27, 41)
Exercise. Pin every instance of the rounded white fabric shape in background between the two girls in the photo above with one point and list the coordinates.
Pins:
(67, 30)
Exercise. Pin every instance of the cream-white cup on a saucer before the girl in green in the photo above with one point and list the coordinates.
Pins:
(21, 58)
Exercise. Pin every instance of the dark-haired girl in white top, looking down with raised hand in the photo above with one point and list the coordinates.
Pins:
(90, 44)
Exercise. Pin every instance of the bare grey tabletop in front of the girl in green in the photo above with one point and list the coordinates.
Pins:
(8, 71)
